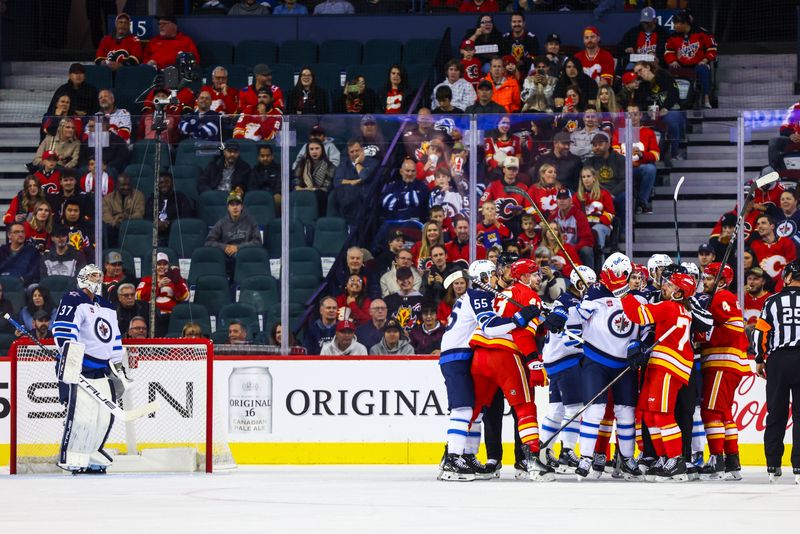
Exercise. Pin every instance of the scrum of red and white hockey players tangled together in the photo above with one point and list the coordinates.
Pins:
(655, 352)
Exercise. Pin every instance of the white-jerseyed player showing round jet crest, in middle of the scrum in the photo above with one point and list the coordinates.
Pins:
(606, 332)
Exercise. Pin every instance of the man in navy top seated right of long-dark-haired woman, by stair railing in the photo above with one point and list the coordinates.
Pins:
(351, 180)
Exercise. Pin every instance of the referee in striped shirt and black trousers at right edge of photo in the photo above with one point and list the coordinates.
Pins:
(777, 343)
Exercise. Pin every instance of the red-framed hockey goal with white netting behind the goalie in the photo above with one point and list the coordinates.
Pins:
(181, 436)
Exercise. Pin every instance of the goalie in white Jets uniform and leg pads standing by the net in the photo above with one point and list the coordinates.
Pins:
(87, 334)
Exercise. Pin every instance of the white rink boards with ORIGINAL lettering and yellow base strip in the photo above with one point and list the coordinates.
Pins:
(311, 409)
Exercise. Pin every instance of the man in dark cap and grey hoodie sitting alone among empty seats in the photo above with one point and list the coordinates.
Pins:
(237, 229)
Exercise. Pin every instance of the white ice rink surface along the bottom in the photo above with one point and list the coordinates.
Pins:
(389, 499)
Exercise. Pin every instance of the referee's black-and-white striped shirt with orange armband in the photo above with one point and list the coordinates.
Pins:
(778, 326)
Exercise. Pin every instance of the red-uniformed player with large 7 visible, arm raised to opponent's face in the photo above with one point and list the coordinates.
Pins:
(668, 369)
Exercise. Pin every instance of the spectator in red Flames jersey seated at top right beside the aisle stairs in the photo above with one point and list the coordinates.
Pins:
(692, 47)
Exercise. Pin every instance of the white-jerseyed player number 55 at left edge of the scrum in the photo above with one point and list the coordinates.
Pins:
(472, 310)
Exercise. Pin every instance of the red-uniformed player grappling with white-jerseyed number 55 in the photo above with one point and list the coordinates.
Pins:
(512, 363)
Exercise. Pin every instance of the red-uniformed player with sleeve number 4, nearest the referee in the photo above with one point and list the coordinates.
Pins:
(724, 362)
